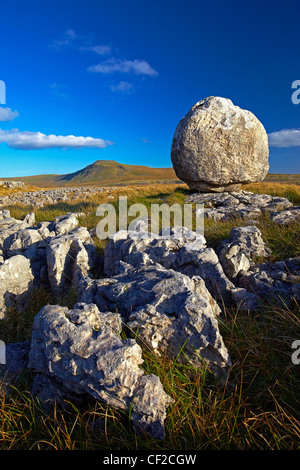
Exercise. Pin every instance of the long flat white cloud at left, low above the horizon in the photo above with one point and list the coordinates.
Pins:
(24, 140)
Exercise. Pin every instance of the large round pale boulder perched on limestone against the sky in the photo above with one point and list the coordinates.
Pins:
(218, 147)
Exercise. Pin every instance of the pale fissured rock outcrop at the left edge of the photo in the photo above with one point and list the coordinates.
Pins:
(54, 254)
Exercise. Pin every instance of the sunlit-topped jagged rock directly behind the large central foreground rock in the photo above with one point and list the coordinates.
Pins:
(188, 255)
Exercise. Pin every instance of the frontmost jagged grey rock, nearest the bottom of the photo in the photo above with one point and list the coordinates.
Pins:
(81, 349)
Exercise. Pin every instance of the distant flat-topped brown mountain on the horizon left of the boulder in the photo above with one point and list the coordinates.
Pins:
(102, 172)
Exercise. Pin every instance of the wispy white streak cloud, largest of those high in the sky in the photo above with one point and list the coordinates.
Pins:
(136, 66)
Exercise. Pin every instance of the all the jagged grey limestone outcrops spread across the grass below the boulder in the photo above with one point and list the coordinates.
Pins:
(166, 292)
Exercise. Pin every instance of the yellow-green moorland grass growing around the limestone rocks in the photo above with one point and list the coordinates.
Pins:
(260, 411)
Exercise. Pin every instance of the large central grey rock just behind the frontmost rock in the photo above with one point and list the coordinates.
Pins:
(165, 310)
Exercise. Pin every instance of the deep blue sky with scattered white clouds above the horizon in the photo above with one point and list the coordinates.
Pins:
(92, 80)
